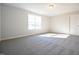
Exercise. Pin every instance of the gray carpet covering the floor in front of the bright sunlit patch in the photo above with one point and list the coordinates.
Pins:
(39, 45)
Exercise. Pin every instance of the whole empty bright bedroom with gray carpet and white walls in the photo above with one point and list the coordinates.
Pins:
(39, 28)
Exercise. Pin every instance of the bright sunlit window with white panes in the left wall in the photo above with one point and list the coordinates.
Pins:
(34, 21)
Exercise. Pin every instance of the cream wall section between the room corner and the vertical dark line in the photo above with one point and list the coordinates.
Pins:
(60, 24)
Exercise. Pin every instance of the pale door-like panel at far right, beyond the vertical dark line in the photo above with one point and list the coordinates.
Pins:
(74, 24)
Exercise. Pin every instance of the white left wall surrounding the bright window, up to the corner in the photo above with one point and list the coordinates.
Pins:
(14, 23)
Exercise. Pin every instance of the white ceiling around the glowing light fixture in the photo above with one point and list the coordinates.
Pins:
(42, 8)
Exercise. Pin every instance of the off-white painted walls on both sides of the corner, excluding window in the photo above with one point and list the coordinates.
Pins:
(14, 23)
